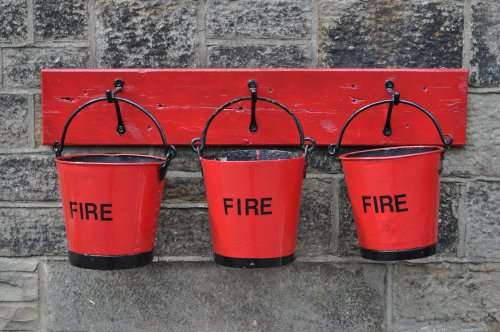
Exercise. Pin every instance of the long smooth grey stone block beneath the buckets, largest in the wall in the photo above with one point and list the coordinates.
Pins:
(201, 296)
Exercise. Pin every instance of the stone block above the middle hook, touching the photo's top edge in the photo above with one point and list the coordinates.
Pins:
(258, 19)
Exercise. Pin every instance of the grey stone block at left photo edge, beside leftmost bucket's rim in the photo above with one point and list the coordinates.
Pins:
(28, 177)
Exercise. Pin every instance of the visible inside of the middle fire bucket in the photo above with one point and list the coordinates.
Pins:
(253, 155)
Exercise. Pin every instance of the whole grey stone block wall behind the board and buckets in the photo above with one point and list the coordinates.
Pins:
(329, 288)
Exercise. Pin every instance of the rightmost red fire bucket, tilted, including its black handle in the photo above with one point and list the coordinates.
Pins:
(394, 193)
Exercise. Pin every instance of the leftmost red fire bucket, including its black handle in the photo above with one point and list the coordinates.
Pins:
(111, 202)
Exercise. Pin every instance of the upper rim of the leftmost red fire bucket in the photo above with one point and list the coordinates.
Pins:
(65, 159)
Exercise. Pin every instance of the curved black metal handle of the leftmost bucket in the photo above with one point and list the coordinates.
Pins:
(170, 151)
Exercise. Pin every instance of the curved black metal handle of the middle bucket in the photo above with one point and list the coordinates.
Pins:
(198, 144)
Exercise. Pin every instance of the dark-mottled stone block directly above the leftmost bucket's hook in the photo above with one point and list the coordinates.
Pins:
(146, 33)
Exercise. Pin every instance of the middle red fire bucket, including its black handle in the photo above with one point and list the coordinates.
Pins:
(254, 200)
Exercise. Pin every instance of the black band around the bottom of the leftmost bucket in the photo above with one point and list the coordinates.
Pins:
(97, 262)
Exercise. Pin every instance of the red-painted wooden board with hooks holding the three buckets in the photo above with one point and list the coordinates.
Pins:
(322, 99)
